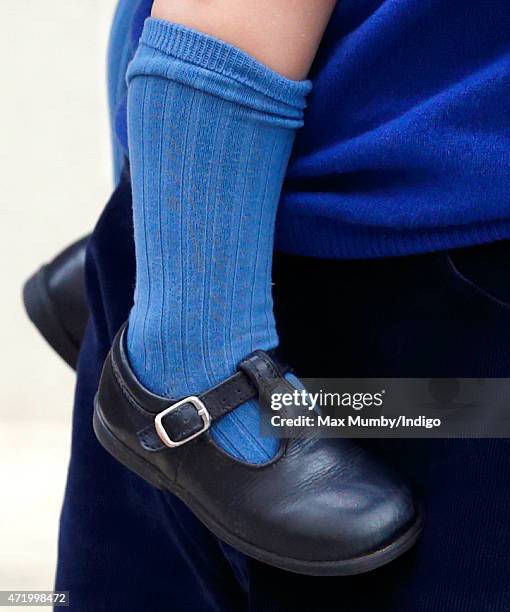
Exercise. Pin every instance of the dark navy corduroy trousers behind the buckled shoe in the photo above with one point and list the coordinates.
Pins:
(127, 547)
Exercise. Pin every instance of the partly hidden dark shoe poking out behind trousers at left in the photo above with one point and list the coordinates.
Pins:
(56, 303)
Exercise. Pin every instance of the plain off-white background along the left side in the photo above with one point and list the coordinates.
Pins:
(55, 177)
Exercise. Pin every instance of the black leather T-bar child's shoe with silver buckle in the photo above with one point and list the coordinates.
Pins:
(320, 507)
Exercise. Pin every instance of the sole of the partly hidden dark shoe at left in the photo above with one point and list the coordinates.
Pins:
(41, 311)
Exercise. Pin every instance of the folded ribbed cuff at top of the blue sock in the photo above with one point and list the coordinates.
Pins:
(201, 61)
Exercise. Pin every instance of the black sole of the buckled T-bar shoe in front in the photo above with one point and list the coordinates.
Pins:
(150, 473)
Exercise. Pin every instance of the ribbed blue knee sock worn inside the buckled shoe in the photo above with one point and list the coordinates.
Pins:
(210, 134)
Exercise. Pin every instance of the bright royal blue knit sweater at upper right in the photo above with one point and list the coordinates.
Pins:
(406, 144)
